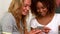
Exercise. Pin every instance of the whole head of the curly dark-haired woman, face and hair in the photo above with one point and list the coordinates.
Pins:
(42, 8)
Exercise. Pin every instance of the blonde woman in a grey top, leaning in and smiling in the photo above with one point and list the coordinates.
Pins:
(14, 21)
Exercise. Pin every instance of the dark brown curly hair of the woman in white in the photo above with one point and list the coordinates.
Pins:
(49, 4)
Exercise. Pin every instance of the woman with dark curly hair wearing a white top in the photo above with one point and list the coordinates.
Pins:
(46, 20)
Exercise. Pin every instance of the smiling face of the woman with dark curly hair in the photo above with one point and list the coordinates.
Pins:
(41, 9)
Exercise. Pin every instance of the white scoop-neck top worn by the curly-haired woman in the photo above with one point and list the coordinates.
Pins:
(53, 25)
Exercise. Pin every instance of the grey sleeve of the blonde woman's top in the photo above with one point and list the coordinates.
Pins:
(7, 24)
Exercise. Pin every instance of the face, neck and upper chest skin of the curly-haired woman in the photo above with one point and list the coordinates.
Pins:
(42, 10)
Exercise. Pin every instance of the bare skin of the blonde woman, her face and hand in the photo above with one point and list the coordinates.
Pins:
(25, 11)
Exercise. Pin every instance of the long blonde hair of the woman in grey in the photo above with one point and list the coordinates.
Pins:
(15, 8)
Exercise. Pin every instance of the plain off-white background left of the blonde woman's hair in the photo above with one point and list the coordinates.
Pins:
(4, 4)
